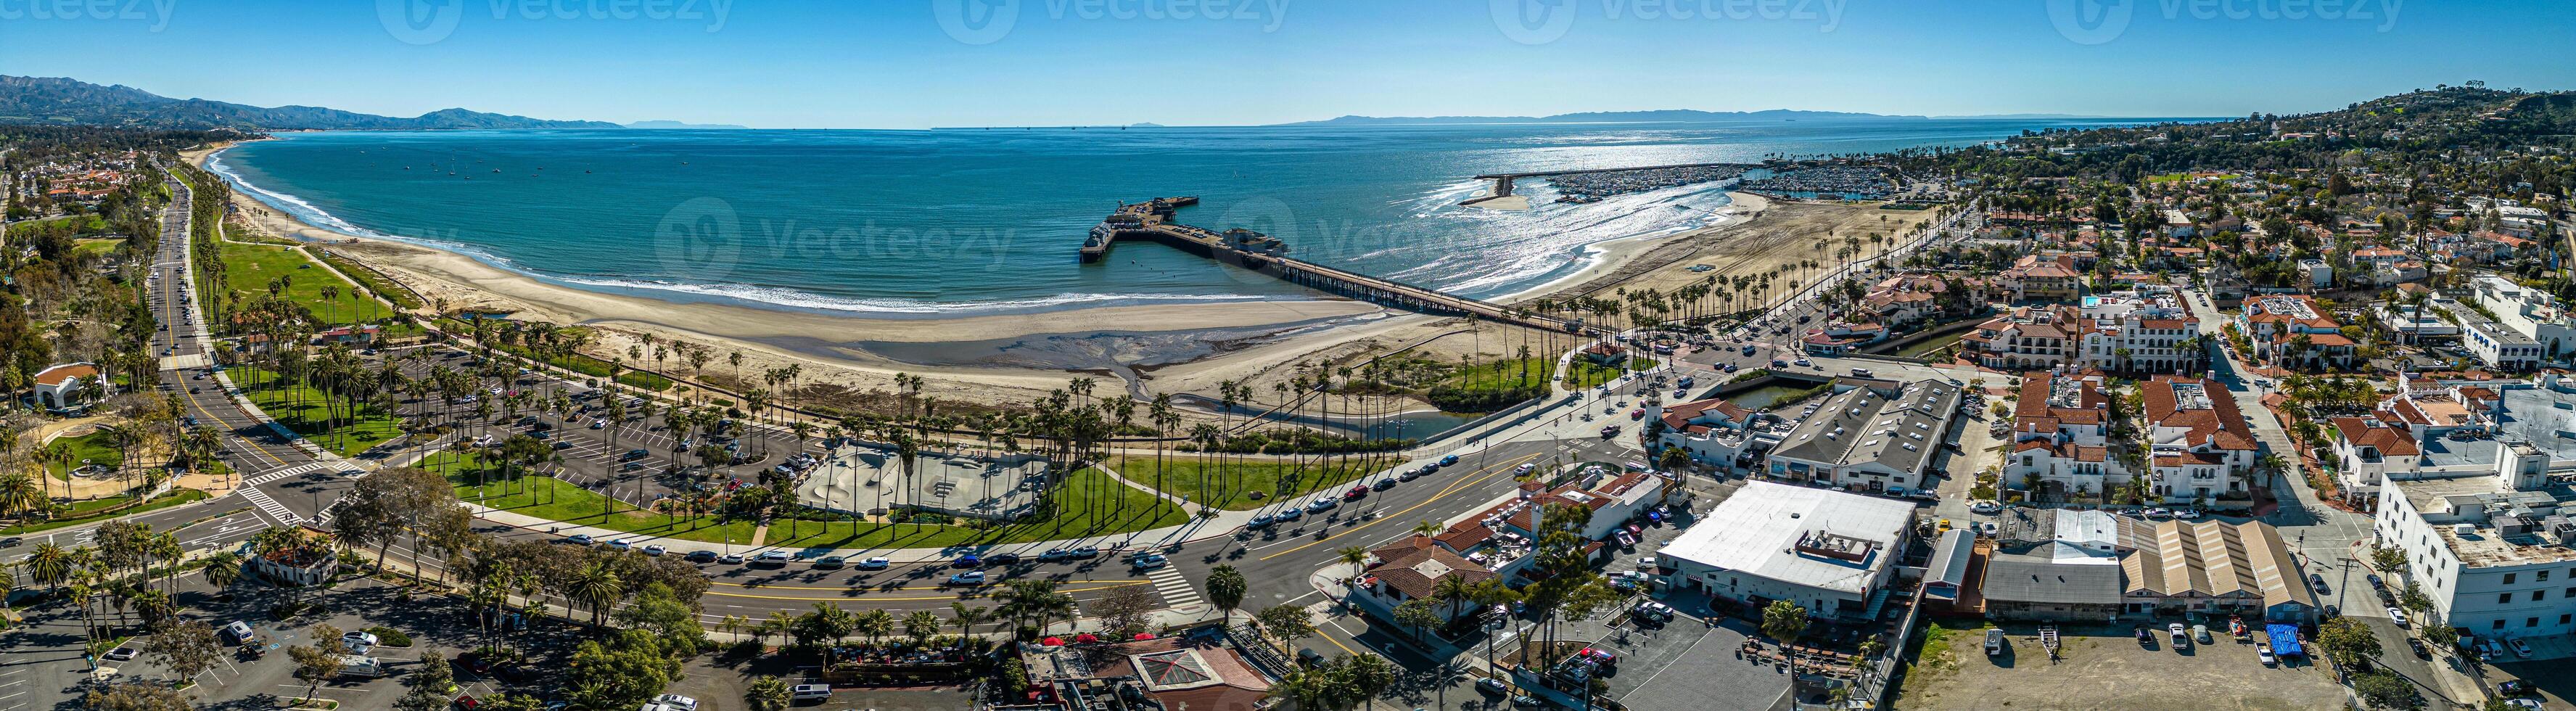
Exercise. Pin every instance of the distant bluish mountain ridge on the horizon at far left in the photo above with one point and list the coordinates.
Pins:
(76, 102)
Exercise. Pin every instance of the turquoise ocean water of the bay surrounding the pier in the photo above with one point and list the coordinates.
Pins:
(972, 220)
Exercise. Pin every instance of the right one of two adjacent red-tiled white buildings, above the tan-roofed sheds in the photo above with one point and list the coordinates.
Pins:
(2201, 444)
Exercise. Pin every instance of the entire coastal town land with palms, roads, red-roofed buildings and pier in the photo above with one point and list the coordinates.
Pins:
(2268, 411)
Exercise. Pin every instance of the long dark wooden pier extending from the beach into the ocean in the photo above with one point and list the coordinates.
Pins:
(1264, 254)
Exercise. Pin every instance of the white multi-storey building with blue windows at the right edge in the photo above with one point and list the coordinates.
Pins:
(2495, 550)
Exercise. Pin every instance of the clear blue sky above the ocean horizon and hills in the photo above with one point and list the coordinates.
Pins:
(898, 66)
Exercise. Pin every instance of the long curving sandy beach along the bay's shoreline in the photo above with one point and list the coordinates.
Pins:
(993, 359)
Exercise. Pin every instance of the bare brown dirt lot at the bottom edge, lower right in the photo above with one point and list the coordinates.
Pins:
(2103, 668)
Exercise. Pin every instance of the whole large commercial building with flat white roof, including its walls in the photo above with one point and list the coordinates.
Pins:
(1830, 553)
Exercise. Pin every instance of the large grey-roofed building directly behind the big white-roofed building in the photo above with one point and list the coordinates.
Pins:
(1871, 437)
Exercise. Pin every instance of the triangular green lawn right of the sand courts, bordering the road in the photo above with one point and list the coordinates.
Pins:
(1230, 483)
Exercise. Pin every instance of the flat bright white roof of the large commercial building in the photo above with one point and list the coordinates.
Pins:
(1758, 532)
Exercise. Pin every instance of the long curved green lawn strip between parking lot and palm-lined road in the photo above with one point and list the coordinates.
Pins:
(1094, 506)
